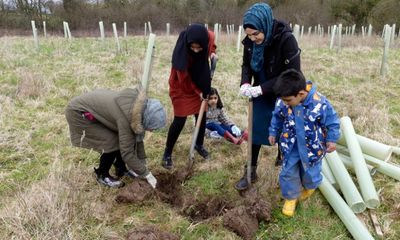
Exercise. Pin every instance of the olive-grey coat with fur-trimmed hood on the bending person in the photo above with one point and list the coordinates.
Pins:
(117, 124)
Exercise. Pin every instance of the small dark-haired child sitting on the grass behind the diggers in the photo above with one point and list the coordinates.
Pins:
(218, 122)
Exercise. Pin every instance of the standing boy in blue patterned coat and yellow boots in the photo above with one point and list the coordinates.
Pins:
(309, 128)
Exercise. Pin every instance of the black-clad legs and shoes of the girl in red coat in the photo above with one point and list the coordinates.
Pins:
(173, 133)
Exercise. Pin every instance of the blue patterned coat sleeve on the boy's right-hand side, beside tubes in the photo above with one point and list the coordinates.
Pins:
(331, 123)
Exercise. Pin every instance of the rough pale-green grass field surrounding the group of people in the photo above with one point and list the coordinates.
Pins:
(47, 187)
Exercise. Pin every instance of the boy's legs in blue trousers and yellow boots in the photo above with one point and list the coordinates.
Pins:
(298, 181)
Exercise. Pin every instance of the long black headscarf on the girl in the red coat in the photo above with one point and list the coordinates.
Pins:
(199, 70)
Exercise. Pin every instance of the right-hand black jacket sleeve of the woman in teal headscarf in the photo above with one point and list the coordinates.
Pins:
(290, 58)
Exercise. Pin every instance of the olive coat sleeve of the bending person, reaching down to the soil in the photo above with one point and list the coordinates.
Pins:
(130, 149)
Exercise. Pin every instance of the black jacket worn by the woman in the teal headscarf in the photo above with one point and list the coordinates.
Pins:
(283, 53)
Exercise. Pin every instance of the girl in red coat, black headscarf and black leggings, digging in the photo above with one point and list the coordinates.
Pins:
(189, 84)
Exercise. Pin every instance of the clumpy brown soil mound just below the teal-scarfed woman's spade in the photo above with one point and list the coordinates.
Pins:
(244, 219)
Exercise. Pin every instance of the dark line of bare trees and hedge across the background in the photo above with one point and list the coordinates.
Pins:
(85, 14)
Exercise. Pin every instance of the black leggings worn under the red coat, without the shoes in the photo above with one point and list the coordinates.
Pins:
(175, 129)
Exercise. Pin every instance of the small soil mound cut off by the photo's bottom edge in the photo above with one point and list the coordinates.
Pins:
(150, 233)
